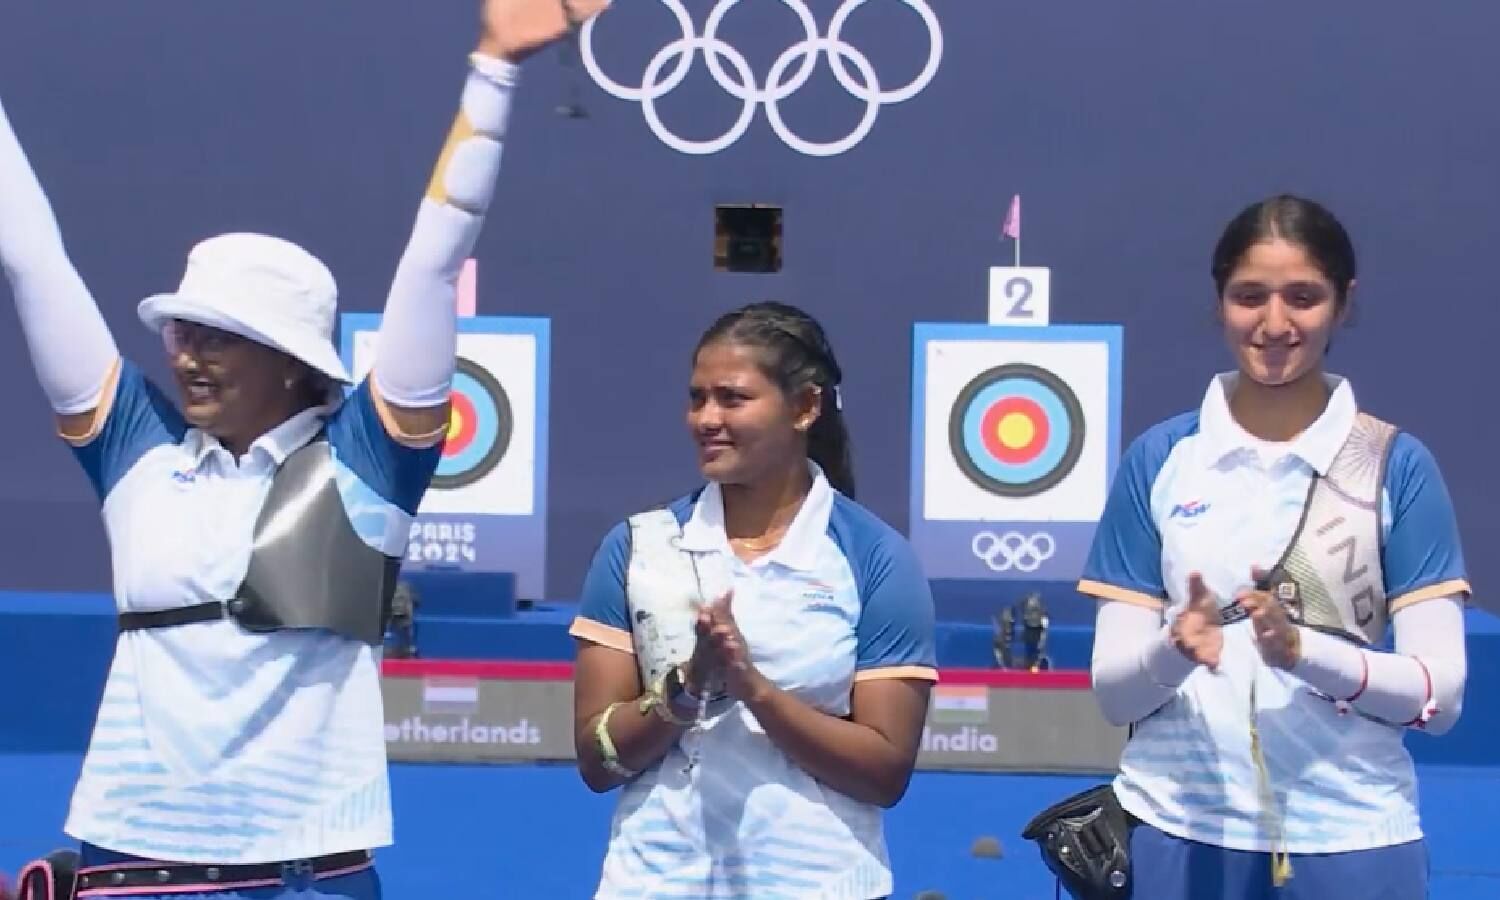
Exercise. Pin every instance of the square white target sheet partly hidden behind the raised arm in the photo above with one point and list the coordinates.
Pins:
(488, 463)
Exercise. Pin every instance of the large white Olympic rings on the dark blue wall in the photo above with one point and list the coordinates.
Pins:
(779, 85)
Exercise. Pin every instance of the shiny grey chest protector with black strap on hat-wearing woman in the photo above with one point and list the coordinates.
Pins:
(308, 568)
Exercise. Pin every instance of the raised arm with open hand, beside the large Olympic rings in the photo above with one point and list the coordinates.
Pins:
(418, 343)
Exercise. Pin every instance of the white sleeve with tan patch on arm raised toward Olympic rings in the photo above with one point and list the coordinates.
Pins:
(418, 343)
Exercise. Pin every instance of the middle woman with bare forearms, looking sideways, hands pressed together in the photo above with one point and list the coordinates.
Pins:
(757, 658)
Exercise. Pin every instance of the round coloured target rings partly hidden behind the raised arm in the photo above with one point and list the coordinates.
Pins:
(479, 431)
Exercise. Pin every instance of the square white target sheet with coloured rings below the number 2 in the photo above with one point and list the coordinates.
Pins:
(1016, 431)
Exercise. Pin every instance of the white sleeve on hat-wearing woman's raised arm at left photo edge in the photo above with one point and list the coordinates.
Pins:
(71, 347)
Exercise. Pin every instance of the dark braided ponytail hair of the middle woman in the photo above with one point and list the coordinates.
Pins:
(796, 355)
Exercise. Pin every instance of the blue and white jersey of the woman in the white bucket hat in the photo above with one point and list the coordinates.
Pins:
(215, 745)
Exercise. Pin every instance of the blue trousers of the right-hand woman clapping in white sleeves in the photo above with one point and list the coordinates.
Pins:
(1166, 868)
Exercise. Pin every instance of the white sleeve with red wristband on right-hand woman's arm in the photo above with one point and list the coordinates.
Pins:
(1424, 679)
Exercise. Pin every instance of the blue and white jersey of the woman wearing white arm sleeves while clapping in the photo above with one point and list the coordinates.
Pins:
(1199, 494)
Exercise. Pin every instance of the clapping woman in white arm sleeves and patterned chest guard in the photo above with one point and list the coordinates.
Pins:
(1250, 562)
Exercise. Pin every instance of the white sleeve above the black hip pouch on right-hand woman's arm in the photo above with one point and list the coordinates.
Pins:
(1136, 668)
